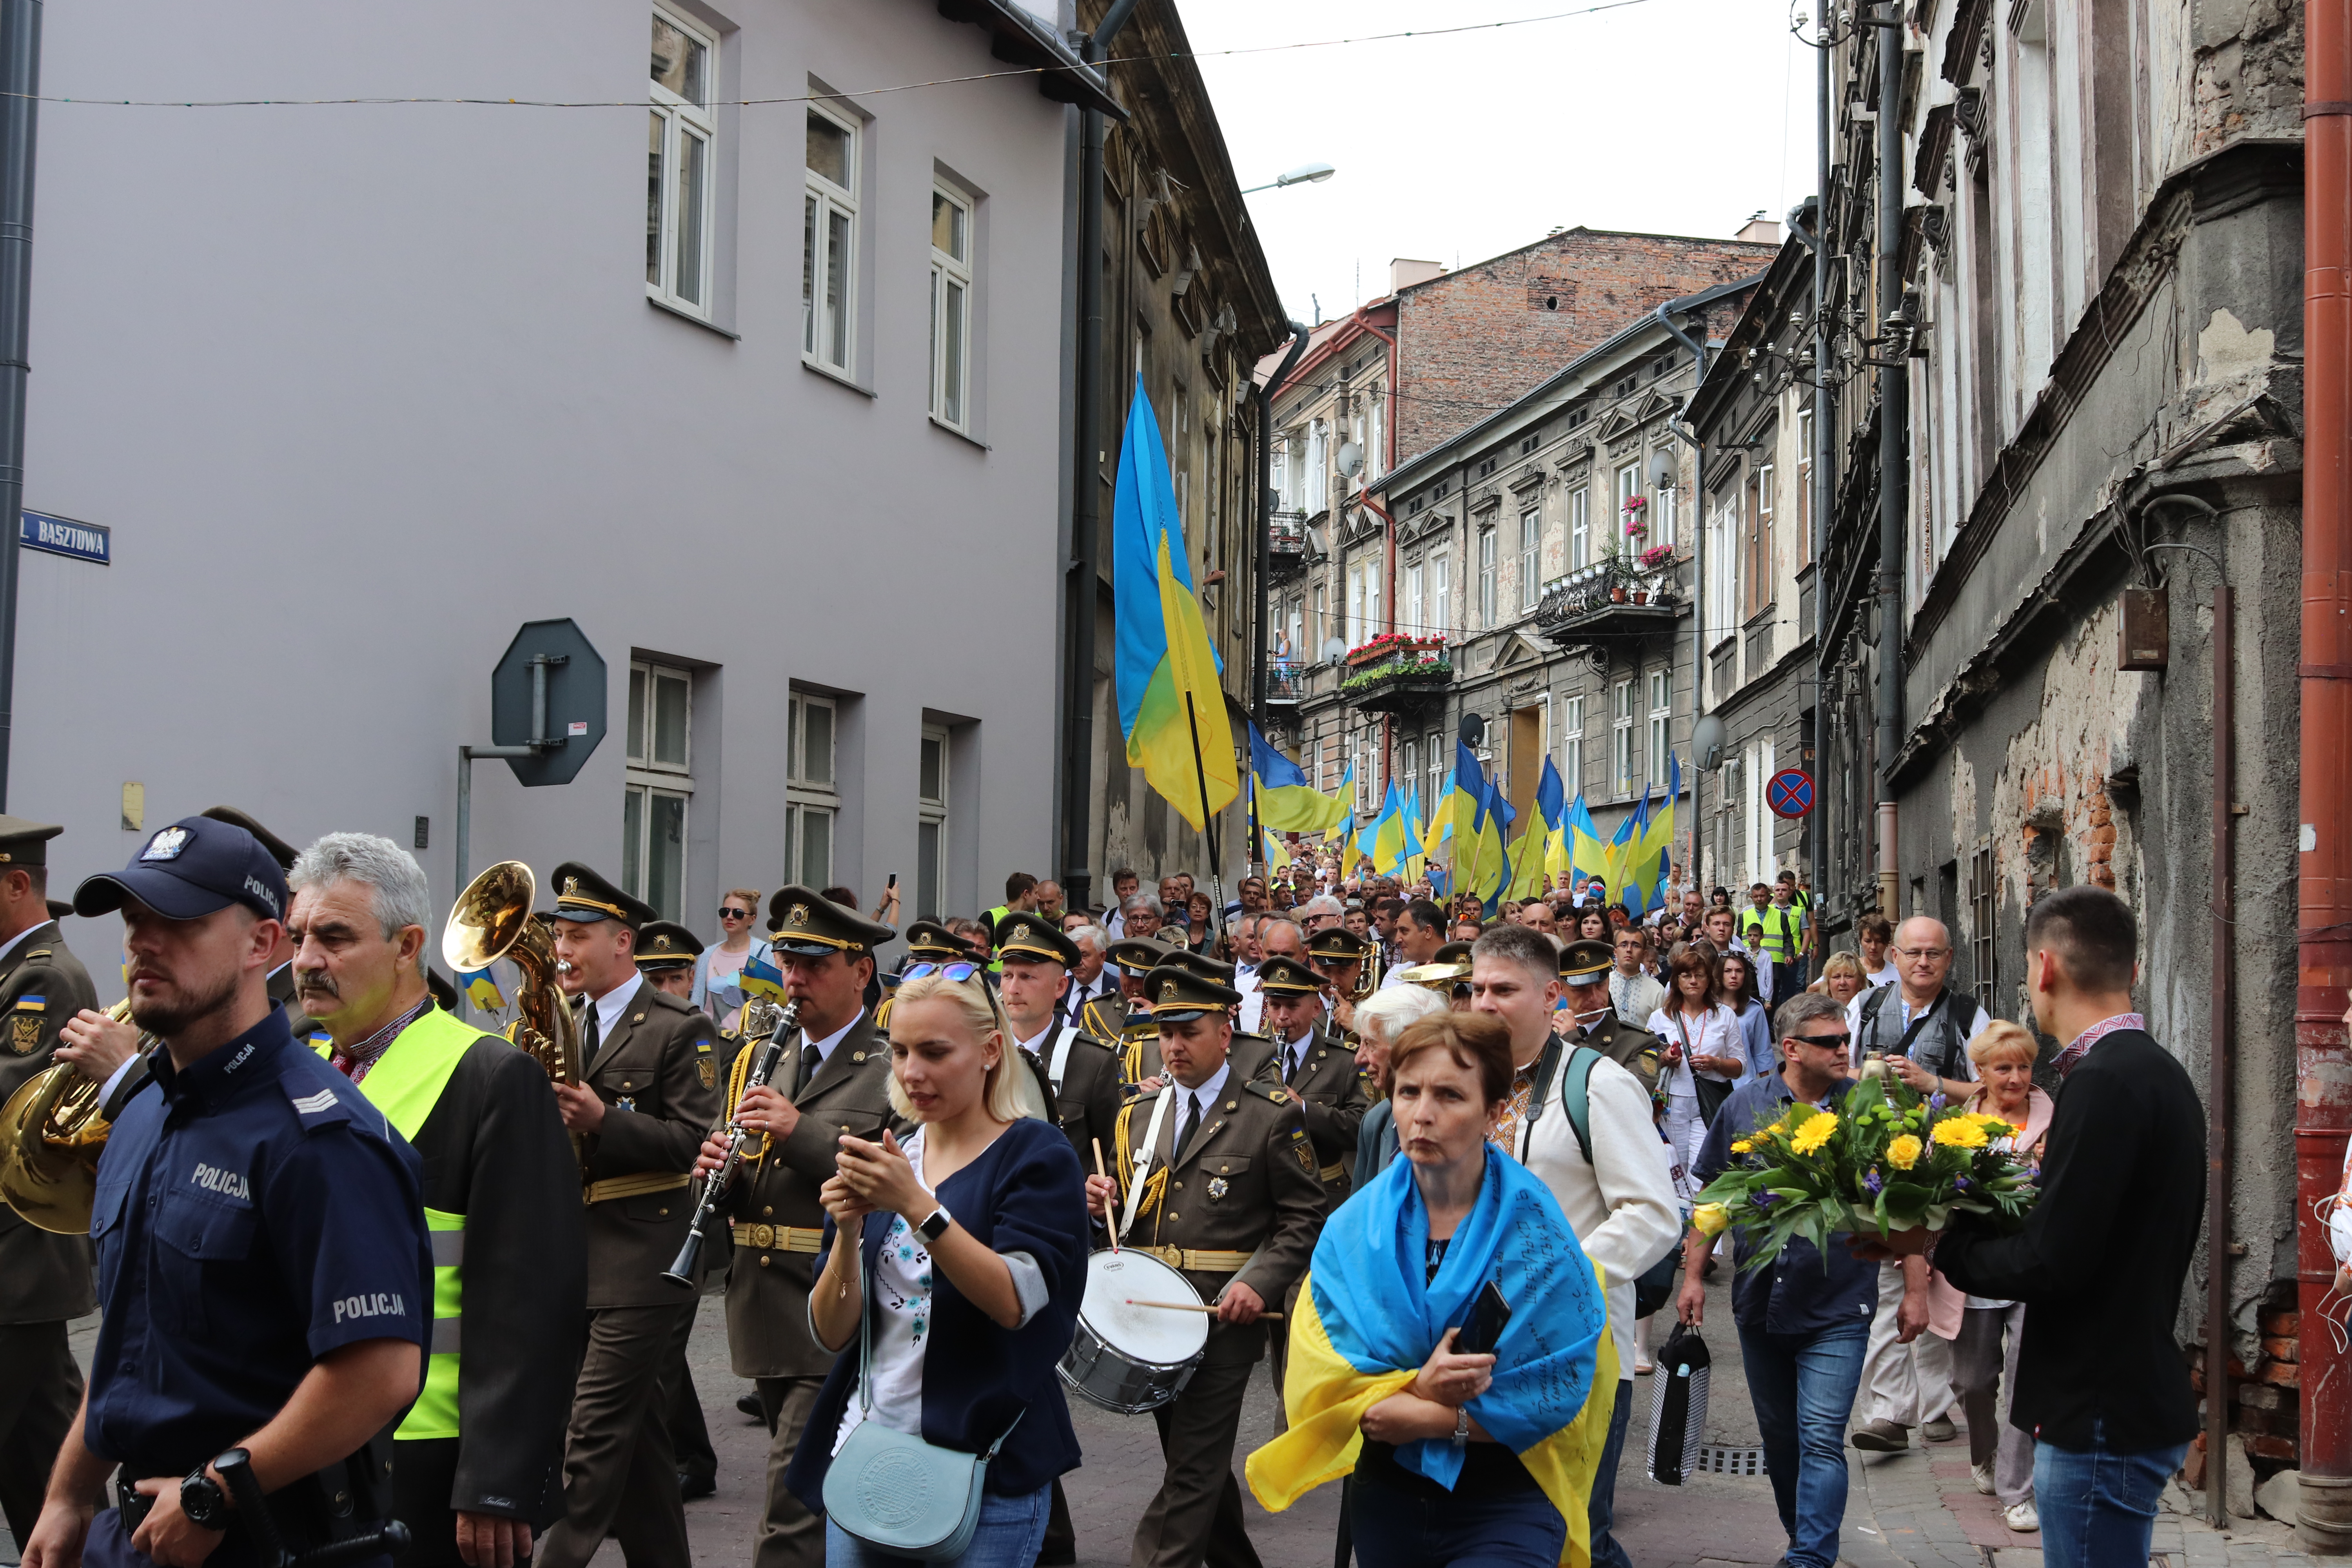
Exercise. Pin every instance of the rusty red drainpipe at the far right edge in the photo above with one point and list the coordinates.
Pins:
(2325, 836)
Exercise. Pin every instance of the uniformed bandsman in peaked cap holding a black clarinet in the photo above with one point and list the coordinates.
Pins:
(834, 1080)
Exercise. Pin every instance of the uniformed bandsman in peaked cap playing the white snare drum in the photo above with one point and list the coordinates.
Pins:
(1227, 1193)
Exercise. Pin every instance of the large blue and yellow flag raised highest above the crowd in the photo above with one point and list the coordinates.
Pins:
(1172, 709)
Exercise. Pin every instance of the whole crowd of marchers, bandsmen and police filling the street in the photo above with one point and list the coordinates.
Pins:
(1436, 1162)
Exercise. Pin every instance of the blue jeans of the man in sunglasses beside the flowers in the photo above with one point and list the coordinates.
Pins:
(1803, 1391)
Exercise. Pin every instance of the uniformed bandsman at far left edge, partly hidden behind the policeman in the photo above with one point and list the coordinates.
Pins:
(44, 1275)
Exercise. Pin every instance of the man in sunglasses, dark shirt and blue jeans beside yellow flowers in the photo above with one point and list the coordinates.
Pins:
(1805, 1313)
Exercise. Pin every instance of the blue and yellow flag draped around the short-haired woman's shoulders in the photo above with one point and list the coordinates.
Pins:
(1368, 1320)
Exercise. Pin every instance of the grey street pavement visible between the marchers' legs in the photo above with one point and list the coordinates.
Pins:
(1909, 1510)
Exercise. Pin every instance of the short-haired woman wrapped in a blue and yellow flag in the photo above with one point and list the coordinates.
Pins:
(1450, 1456)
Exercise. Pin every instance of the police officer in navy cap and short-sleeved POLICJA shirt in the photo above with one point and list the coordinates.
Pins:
(265, 1264)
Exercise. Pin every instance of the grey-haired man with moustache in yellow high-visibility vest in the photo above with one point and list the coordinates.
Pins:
(479, 1459)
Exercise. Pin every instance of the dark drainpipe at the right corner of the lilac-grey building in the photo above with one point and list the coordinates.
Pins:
(1083, 575)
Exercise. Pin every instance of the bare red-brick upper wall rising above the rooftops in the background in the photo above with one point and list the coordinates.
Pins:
(1483, 337)
